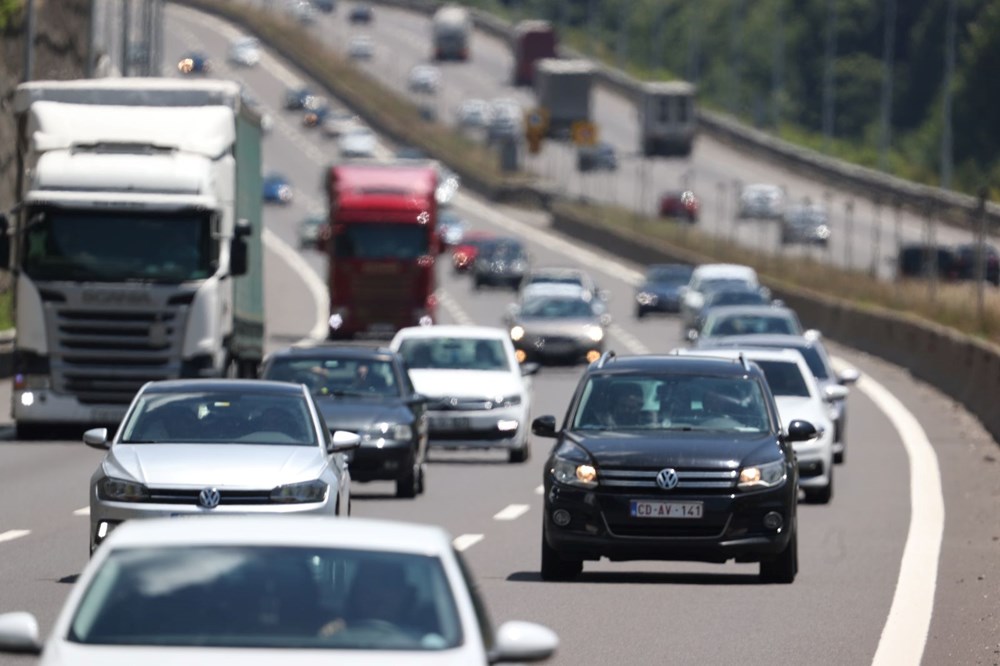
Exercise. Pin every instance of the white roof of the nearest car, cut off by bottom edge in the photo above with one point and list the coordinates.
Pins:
(284, 530)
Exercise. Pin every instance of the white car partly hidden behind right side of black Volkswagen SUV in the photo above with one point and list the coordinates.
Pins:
(799, 397)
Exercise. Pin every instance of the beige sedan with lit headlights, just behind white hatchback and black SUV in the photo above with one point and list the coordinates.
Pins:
(558, 325)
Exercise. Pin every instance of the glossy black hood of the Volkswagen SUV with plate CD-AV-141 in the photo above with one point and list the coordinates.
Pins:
(705, 450)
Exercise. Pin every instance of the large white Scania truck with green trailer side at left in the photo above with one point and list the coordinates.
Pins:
(136, 243)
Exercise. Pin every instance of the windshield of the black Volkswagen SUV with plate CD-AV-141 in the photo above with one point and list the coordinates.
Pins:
(672, 402)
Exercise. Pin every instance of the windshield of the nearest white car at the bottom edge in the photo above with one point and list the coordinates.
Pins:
(269, 597)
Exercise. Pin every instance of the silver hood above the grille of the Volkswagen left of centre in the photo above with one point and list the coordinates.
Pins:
(218, 465)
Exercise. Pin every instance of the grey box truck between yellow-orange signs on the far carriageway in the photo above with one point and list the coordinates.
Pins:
(562, 89)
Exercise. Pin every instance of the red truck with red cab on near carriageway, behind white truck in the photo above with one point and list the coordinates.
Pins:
(381, 245)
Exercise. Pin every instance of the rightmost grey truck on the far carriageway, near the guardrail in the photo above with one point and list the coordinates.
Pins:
(667, 118)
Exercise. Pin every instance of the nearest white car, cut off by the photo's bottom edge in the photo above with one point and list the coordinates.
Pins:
(257, 590)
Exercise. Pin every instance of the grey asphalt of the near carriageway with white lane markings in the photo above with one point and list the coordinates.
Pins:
(865, 568)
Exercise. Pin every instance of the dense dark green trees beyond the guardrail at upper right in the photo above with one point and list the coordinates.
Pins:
(765, 61)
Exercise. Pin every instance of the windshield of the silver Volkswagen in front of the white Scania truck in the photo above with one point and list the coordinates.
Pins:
(220, 417)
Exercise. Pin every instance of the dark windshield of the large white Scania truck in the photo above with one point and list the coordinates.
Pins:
(113, 247)
